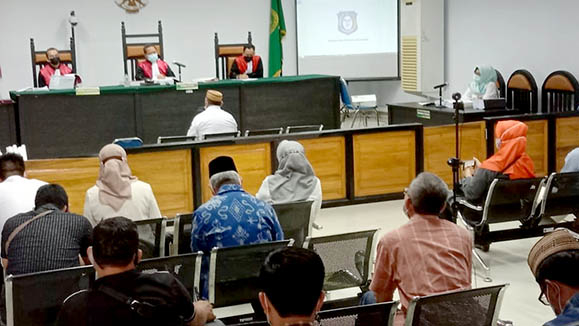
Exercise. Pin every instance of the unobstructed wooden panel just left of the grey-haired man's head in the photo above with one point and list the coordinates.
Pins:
(384, 163)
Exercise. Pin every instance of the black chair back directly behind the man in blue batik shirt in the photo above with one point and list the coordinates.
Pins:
(234, 272)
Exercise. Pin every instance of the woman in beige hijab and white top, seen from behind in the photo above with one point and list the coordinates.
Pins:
(117, 192)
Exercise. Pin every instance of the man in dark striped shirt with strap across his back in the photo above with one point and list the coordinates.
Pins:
(47, 238)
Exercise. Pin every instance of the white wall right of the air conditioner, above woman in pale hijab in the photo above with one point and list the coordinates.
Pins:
(537, 35)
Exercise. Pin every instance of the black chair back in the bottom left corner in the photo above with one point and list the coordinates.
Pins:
(35, 299)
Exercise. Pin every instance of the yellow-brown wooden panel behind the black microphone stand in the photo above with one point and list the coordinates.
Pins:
(439, 146)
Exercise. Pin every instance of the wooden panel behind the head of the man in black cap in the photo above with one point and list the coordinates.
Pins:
(253, 162)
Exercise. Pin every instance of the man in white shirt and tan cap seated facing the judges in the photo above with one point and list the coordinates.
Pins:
(213, 120)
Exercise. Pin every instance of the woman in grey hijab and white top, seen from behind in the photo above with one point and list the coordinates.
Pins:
(294, 179)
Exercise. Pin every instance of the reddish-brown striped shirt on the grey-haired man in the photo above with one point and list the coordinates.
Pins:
(425, 256)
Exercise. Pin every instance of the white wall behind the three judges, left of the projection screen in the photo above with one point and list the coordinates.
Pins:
(188, 29)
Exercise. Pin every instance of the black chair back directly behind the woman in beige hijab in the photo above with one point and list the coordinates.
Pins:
(152, 237)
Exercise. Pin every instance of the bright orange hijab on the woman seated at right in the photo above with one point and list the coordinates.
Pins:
(511, 158)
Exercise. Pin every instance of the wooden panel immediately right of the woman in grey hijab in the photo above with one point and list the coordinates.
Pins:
(328, 158)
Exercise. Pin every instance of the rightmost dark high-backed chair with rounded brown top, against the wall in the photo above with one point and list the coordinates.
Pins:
(560, 92)
